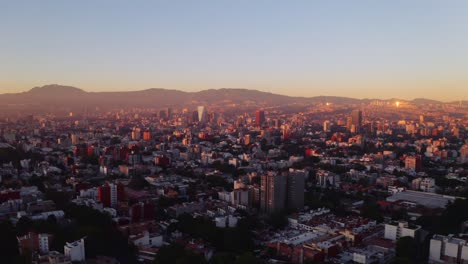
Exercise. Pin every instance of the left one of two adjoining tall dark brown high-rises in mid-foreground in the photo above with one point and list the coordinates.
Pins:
(272, 192)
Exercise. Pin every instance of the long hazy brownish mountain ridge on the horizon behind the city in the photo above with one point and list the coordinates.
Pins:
(63, 98)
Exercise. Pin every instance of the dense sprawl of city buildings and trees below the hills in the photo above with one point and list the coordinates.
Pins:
(329, 181)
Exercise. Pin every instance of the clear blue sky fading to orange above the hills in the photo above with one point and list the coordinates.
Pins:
(364, 49)
